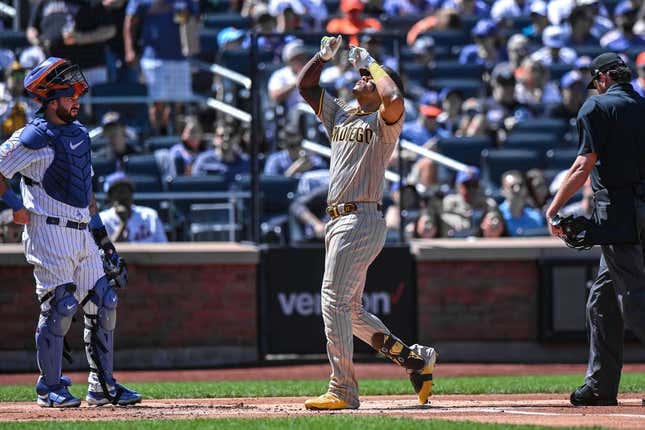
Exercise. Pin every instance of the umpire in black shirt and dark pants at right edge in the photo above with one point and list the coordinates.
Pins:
(611, 130)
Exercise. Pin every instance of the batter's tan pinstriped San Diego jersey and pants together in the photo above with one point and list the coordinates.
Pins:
(361, 148)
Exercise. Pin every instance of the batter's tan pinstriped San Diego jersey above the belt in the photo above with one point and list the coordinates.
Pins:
(361, 147)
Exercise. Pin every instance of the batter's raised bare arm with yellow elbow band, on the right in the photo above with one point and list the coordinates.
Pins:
(391, 97)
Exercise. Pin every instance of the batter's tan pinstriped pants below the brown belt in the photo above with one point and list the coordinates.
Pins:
(352, 242)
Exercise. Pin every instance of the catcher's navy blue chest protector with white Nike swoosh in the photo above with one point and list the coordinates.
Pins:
(69, 177)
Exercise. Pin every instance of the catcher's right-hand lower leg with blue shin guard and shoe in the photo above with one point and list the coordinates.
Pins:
(100, 321)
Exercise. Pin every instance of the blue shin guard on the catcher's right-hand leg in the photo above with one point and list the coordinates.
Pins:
(99, 339)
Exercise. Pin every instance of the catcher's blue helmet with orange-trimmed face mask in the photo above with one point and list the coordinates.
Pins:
(53, 78)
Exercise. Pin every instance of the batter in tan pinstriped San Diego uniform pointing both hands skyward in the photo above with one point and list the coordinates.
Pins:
(362, 138)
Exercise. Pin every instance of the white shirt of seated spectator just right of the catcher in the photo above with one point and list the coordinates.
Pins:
(143, 226)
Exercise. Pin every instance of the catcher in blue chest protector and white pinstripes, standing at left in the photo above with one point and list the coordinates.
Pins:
(53, 155)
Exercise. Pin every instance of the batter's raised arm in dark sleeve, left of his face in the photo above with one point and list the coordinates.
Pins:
(309, 77)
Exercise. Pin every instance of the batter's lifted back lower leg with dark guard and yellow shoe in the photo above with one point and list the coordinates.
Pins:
(417, 359)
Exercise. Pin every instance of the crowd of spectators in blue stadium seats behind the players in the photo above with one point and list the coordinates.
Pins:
(472, 68)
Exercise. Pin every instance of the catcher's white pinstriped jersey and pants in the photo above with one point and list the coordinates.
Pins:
(59, 254)
